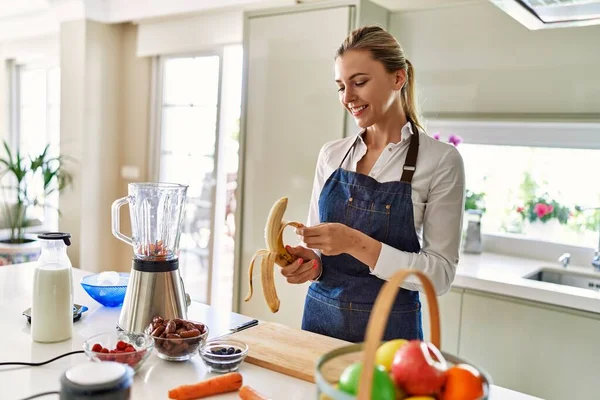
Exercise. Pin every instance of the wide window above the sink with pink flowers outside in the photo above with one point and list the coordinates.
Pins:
(539, 180)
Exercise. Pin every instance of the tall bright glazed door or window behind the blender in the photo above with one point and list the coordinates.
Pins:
(199, 110)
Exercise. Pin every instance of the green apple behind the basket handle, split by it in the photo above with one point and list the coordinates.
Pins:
(382, 388)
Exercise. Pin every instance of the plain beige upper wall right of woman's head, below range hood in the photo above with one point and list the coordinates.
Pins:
(476, 59)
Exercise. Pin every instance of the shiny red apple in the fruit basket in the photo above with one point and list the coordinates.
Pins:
(415, 369)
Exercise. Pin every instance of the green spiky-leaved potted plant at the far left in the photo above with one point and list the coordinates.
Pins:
(26, 184)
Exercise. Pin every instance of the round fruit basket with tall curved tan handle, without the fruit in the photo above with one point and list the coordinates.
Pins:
(330, 365)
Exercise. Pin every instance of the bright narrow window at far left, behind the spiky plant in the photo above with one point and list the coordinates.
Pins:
(36, 111)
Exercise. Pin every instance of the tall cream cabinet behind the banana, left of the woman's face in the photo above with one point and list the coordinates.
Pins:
(290, 110)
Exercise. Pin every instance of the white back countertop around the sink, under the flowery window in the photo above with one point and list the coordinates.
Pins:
(505, 275)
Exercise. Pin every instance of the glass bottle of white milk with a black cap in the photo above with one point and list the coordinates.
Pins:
(52, 307)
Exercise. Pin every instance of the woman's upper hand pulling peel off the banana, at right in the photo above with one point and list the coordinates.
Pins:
(329, 238)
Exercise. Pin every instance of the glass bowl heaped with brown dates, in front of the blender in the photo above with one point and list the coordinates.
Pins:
(177, 339)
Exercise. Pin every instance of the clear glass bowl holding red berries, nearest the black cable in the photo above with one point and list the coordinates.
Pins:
(127, 348)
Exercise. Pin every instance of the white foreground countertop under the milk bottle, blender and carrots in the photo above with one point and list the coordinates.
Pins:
(153, 380)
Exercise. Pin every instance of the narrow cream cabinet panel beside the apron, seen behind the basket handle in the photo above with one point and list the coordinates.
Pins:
(450, 309)
